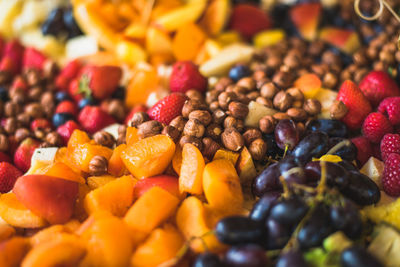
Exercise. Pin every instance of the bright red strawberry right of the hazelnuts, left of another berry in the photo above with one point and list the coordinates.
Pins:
(358, 106)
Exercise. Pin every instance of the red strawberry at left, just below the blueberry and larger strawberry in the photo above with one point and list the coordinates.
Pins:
(93, 119)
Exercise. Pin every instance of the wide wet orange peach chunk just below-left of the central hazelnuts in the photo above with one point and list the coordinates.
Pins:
(149, 157)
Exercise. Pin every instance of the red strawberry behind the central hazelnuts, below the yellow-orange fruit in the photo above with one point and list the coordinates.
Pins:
(185, 76)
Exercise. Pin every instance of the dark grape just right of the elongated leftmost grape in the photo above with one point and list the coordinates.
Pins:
(278, 235)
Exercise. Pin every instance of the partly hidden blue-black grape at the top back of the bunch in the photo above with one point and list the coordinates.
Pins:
(333, 128)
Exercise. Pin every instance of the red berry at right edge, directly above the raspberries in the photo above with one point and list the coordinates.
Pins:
(378, 85)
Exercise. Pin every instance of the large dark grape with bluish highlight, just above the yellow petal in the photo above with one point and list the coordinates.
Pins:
(313, 145)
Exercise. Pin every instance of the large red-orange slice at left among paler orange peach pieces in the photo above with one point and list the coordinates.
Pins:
(50, 197)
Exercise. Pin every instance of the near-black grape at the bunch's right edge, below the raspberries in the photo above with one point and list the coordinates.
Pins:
(361, 189)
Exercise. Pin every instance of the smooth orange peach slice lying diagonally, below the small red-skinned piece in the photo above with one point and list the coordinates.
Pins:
(151, 209)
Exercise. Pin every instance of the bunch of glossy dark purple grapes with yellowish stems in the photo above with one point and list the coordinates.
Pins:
(301, 202)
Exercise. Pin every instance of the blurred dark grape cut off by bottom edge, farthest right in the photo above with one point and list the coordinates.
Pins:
(358, 257)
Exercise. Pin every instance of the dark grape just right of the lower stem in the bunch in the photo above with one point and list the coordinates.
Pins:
(315, 229)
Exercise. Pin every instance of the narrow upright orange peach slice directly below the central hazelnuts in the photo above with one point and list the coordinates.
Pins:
(191, 175)
